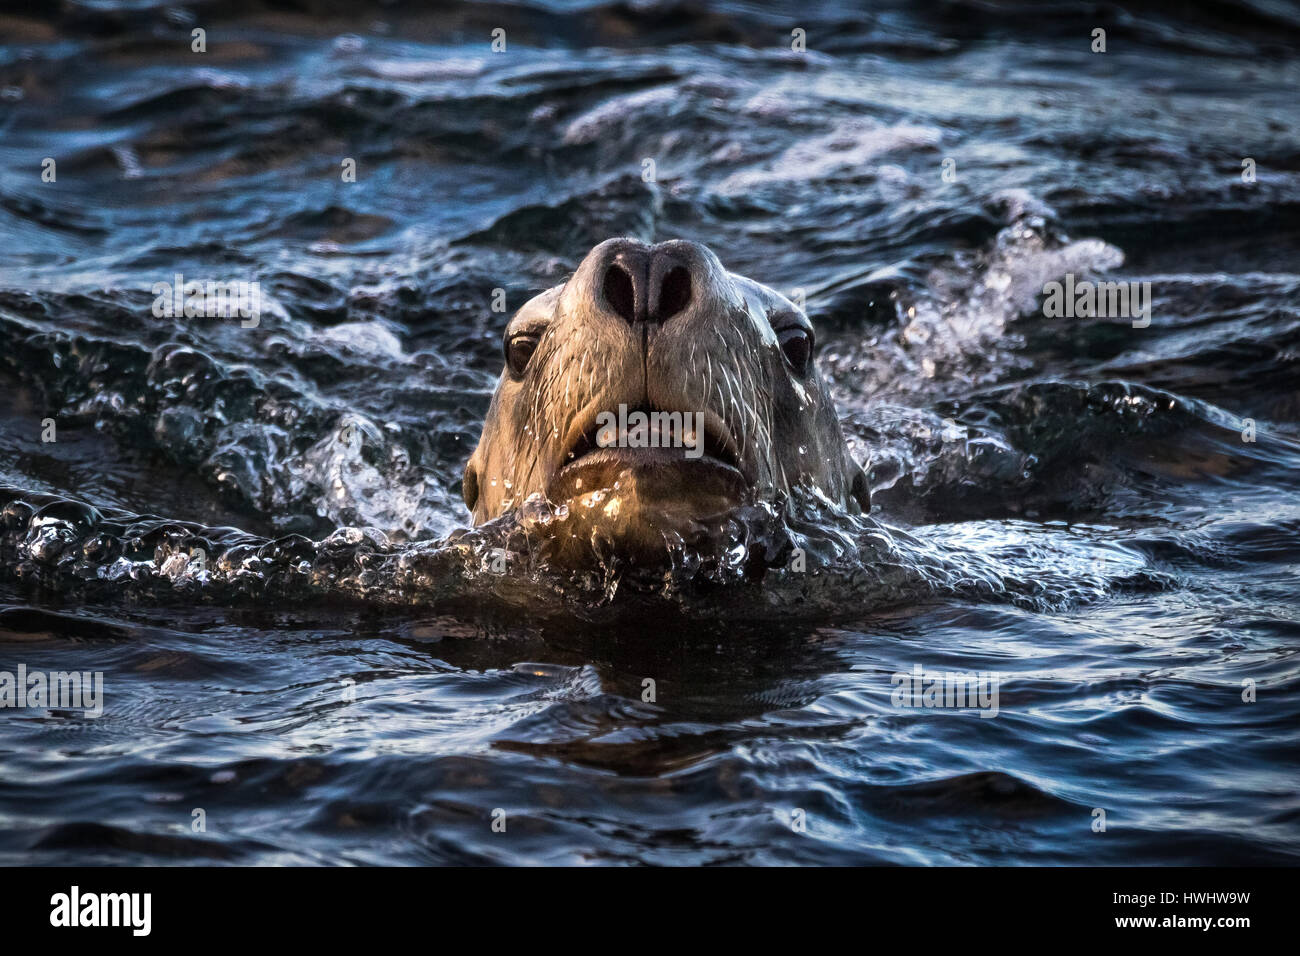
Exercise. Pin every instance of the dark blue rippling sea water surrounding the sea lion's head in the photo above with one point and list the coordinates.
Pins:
(1069, 504)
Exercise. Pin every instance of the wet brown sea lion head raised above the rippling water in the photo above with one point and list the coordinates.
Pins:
(655, 392)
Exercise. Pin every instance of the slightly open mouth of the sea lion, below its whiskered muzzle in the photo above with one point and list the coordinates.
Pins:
(670, 453)
